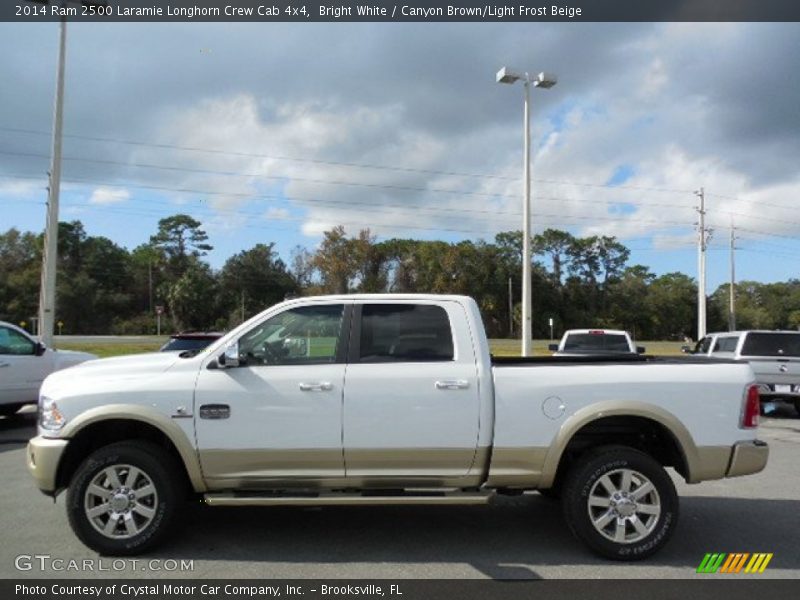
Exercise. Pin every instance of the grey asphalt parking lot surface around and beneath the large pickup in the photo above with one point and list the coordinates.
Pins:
(521, 537)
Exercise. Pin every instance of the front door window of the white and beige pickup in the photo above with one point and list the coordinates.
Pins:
(298, 336)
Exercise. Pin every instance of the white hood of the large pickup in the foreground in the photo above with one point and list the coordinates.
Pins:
(134, 366)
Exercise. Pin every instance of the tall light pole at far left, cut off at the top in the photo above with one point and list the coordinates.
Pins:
(47, 290)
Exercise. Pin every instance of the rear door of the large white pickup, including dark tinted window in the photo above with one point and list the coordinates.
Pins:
(411, 402)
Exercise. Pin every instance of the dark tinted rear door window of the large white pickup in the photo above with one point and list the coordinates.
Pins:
(405, 333)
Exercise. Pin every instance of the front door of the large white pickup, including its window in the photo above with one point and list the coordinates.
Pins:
(278, 414)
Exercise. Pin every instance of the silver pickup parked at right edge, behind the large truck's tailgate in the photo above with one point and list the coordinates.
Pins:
(773, 355)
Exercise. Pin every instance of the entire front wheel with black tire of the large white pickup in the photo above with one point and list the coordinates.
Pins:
(142, 511)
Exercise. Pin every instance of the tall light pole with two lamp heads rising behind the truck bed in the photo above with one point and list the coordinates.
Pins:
(542, 80)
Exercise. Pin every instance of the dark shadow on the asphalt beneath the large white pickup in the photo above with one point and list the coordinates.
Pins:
(506, 540)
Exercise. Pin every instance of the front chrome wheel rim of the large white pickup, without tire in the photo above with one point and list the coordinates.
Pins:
(121, 501)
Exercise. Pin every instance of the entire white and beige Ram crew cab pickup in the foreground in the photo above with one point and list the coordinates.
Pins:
(379, 399)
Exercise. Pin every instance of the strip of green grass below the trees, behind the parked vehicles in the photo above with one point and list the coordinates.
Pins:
(120, 346)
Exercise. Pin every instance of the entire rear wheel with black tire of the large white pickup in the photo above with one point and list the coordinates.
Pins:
(631, 525)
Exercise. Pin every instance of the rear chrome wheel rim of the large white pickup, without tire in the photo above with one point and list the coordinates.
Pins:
(624, 506)
